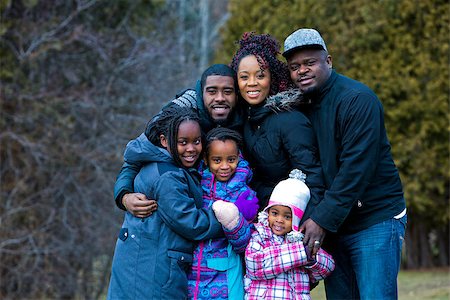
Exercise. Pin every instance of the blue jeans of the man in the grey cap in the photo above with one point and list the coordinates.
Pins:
(367, 262)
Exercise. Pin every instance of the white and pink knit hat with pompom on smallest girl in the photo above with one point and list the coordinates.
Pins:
(291, 192)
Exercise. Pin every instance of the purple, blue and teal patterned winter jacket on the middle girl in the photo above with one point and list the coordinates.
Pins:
(216, 271)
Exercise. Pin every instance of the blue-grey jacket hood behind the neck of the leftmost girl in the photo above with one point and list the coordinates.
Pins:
(142, 150)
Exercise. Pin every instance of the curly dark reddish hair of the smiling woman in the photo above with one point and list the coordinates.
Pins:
(266, 49)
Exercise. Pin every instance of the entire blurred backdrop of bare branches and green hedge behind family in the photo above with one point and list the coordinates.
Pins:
(80, 78)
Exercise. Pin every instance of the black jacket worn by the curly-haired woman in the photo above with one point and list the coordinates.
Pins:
(276, 143)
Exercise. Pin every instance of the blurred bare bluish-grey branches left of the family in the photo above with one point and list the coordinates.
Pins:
(78, 80)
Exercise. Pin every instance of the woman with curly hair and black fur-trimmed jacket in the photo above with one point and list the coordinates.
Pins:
(277, 140)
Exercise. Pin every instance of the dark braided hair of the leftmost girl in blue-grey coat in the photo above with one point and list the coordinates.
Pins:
(167, 123)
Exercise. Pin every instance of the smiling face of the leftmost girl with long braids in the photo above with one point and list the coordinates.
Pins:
(189, 143)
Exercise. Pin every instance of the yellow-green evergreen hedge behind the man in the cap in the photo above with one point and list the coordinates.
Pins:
(399, 48)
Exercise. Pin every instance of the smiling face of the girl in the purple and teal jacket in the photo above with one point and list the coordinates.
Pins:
(222, 159)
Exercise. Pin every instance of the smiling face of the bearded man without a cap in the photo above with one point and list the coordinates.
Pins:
(219, 96)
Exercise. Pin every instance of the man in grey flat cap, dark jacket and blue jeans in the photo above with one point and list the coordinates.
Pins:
(363, 210)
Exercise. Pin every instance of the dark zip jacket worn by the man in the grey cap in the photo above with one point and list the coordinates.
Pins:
(363, 186)
